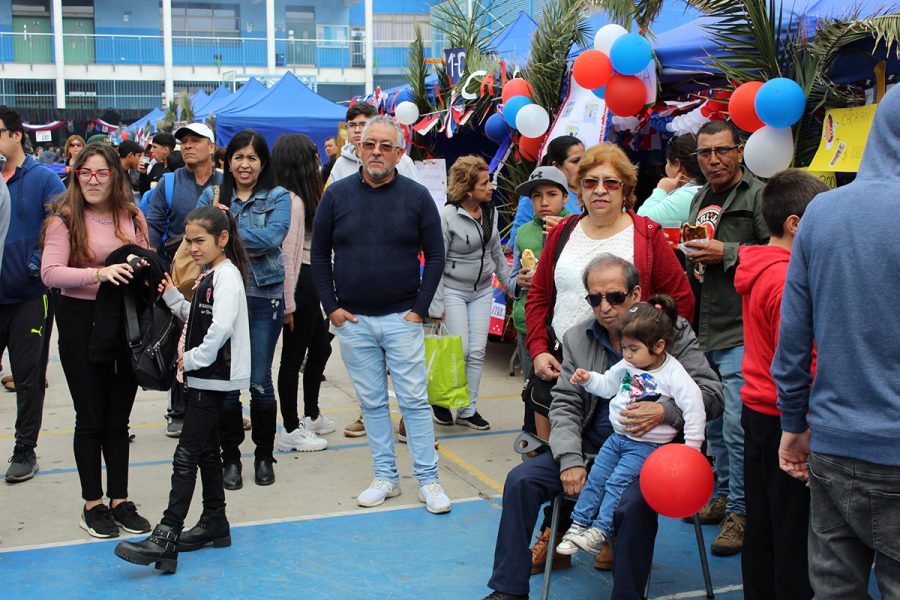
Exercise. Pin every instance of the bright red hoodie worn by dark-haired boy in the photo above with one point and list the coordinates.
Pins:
(759, 278)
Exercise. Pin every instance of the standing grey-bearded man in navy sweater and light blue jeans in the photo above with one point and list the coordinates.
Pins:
(375, 223)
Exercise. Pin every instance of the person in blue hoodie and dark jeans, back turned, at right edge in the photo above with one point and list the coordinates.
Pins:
(842, 433)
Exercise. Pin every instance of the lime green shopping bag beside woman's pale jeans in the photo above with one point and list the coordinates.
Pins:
(446, 366)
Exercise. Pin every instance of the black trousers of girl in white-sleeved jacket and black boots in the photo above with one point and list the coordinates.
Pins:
(198, 447)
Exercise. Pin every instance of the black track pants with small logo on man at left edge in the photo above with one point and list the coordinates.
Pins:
(25, 330)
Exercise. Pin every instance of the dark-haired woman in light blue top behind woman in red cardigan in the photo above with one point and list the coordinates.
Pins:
(671, 200)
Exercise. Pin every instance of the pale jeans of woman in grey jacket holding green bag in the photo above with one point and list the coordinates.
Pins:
(467, 314)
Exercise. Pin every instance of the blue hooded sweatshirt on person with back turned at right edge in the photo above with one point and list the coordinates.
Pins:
(842, 290)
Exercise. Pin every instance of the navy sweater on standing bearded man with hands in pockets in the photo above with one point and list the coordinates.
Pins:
(376, 235)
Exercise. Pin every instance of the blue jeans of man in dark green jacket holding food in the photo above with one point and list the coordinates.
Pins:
(725, 435)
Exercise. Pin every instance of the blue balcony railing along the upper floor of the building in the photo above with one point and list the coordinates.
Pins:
(101, 49)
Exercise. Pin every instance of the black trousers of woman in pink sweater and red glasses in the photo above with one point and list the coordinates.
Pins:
(103, 394)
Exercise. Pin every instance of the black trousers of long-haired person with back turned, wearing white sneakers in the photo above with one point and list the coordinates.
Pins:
(310, 335)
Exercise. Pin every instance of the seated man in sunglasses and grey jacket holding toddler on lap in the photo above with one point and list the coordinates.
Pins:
(580, 425)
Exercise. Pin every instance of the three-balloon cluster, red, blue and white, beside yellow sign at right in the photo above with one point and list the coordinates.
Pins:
(768, 110)
